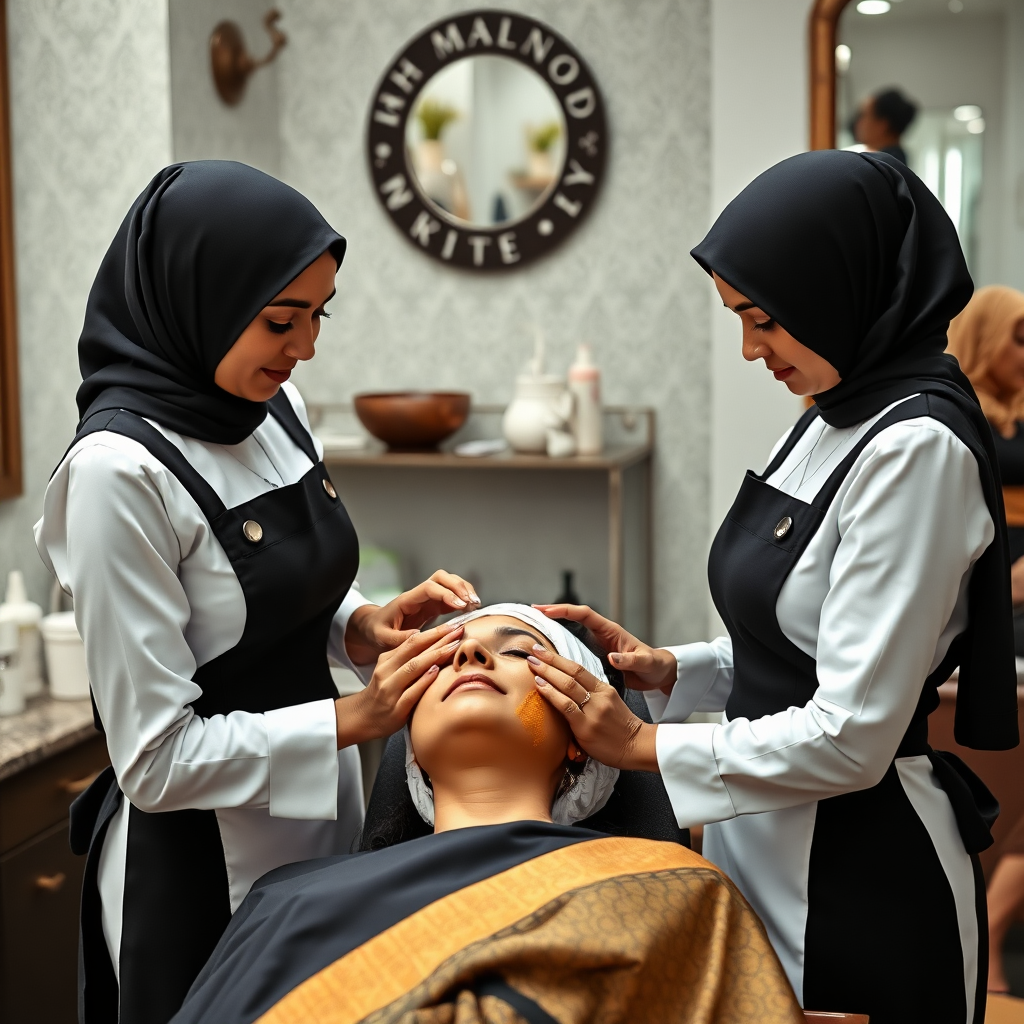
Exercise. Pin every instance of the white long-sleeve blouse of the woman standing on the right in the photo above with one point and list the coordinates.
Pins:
(876, 600)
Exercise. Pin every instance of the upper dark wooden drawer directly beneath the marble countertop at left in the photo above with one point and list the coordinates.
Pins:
(39, 797)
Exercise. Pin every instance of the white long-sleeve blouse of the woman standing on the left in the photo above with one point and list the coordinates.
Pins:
(156, 598)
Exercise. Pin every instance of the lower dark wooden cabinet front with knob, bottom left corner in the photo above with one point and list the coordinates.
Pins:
(40, 889)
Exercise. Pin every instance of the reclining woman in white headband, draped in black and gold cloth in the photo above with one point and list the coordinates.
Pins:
(505, 905)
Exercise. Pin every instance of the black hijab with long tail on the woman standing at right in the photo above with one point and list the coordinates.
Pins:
(855, 258)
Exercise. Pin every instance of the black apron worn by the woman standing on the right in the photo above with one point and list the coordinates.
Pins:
(882, 936)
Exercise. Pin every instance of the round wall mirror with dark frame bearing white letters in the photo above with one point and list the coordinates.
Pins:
(487, 141)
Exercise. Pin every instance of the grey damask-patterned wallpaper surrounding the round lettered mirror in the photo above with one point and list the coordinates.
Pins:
(624, 281)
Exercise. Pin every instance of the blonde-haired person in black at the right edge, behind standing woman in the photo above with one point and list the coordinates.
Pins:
(988, 339)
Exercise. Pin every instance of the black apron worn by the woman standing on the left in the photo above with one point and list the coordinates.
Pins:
(295, 554)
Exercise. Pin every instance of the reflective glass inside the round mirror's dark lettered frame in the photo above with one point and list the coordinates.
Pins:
(487, 141)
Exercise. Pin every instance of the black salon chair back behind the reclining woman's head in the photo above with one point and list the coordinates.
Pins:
(639, 806)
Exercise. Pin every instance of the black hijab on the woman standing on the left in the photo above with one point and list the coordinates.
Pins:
(200, 253)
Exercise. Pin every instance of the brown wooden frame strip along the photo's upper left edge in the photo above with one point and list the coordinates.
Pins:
(11, 419)
